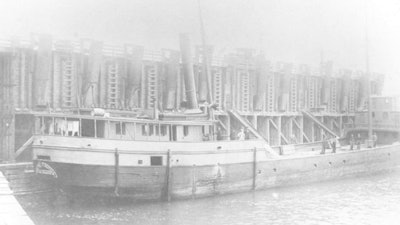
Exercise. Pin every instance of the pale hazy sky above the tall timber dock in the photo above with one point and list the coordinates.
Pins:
(296, 31)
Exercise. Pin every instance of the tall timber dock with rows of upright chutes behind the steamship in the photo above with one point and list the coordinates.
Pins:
(287, 104)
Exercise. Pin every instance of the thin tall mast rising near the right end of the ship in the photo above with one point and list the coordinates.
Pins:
(368, 76)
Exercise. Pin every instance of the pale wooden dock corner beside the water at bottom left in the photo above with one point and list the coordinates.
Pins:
(11, 211)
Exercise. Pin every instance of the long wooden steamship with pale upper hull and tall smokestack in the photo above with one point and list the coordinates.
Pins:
(176, 155)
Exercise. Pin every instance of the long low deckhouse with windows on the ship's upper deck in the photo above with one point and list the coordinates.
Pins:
(121, 128)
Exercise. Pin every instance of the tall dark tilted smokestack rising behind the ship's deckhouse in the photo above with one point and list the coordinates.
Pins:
(188, 73)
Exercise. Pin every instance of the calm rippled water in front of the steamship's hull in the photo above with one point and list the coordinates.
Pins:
(364, 200)
